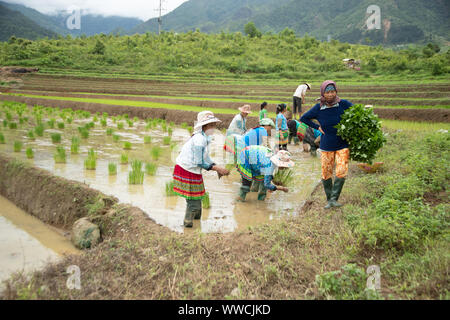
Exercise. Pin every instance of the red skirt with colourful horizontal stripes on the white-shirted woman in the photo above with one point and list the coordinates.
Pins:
(187, 184)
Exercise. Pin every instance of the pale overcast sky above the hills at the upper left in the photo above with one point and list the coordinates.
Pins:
(143, 9)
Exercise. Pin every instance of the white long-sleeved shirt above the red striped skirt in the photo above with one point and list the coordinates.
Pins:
(194, 155)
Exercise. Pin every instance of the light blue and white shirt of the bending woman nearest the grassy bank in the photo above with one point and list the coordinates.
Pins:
(254, 161)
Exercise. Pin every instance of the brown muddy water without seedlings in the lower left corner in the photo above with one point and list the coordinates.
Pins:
(26, 243)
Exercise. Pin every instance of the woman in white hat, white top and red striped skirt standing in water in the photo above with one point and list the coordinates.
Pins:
(194, 156)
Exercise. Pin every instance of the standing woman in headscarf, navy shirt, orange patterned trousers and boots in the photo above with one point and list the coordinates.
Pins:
(334, 149)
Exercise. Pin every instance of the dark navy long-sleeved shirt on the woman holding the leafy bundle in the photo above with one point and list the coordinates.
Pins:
(328, 117)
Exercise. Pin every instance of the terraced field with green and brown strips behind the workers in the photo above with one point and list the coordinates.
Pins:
(413, 102)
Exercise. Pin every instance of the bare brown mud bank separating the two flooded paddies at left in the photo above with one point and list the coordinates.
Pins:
(56, 201)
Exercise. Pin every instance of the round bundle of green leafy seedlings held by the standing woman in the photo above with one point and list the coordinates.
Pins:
(361, 128)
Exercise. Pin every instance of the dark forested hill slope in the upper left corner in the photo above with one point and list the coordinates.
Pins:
(15, 23)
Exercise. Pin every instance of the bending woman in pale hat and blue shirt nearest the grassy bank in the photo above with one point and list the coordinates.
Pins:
(257, 164)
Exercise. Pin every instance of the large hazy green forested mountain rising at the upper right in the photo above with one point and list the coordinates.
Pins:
(402, 21)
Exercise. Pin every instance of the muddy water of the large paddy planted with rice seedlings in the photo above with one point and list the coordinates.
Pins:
(224, 215)
